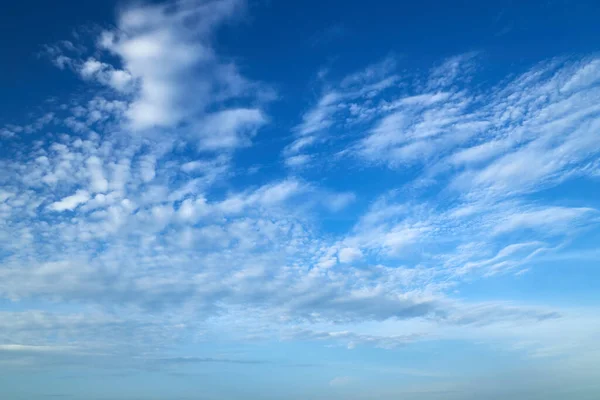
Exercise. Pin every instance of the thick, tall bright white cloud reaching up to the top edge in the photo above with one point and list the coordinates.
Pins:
(167, 50)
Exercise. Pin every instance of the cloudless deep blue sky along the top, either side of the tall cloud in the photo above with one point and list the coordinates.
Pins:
(310, 34)
